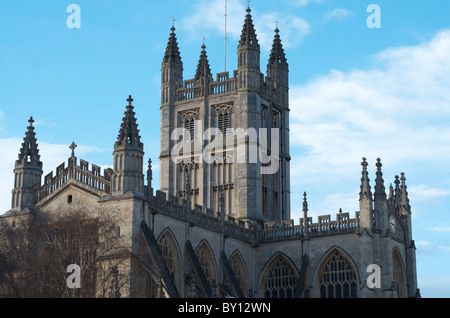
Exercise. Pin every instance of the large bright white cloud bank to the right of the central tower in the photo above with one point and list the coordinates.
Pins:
(397, 110)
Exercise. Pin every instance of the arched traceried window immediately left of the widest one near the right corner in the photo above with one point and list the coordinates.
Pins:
(280, 280)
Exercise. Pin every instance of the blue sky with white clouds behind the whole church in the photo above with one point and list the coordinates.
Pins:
(354, 92)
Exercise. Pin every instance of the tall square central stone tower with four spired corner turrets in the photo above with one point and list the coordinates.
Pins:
(225, 140)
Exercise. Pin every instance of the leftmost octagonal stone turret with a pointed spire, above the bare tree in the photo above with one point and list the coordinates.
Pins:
(27, 172)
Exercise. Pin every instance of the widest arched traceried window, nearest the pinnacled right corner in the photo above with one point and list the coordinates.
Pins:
(337, 277)
